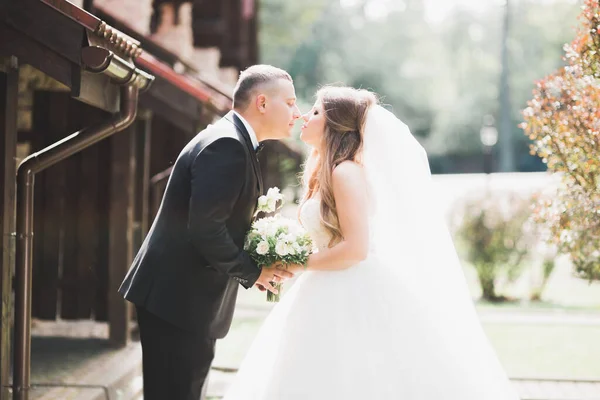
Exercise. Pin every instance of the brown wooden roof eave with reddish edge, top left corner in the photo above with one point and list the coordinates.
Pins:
(30, 30)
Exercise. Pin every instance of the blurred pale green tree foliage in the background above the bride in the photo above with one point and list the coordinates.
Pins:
(440, 77)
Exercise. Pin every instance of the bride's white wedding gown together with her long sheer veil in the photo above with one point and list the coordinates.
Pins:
(398, 326)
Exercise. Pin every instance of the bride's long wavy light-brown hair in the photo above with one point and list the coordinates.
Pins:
(345, 114)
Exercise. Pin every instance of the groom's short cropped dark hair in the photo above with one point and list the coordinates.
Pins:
(252, 78)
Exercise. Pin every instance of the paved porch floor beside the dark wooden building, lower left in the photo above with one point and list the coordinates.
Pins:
(72, 360)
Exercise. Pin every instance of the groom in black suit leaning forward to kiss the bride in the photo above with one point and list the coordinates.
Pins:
(185, 277)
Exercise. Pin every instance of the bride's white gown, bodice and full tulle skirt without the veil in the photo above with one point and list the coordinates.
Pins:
(361, 334)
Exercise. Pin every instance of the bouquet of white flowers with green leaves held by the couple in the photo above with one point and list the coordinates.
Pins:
(277, 239)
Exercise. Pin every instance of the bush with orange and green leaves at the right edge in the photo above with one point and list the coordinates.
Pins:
(563, 121)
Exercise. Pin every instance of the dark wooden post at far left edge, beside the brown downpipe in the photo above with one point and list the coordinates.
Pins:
(9, 81)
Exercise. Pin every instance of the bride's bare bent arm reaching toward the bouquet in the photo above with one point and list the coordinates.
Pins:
(351, 202)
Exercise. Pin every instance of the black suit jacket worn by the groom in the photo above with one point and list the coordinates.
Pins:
(189, 266)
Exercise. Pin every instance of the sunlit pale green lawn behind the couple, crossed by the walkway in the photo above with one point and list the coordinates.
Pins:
(525, 349)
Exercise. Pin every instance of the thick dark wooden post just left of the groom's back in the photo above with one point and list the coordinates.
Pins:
(120, 250)
